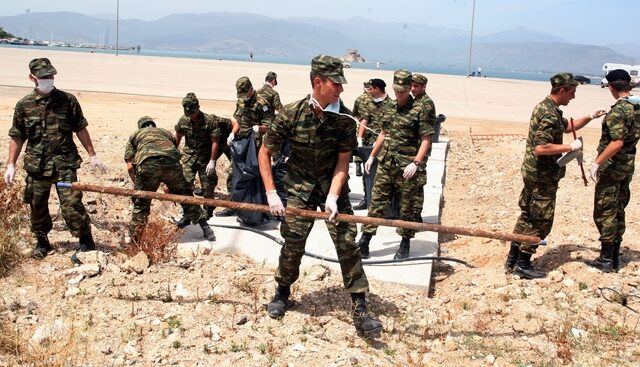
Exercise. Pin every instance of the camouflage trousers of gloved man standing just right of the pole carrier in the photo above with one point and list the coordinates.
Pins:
(388, 182)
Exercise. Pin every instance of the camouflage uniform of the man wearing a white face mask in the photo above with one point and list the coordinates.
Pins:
(47, 124)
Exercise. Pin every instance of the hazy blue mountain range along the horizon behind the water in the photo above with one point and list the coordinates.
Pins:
(519, 49)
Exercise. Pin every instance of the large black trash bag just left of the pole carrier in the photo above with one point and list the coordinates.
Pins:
(247, 186)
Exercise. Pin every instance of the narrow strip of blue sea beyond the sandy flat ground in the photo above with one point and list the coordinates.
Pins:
(417, 67)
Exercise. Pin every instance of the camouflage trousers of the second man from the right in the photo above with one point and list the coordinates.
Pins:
(537, 208)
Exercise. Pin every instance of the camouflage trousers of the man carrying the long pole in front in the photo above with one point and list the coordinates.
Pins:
(295, 231)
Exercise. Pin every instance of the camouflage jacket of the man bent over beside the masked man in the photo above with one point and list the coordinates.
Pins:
(150, 142)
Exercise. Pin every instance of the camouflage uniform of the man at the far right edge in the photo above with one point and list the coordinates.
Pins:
(612, 192)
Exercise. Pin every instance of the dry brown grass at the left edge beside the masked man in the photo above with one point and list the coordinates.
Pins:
(13, 212)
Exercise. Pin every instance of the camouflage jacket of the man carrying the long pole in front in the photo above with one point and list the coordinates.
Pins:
(315, 146)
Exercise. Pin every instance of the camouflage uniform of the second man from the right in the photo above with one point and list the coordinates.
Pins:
(540, 174)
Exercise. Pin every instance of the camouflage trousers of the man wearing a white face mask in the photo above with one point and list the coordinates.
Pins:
(36, 195)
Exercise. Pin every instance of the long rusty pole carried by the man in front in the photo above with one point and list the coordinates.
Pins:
(474, 232)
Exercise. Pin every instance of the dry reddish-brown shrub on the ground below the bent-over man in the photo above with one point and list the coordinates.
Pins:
(159, 240)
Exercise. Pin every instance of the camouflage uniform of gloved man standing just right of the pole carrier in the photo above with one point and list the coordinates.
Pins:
(404, 126)
